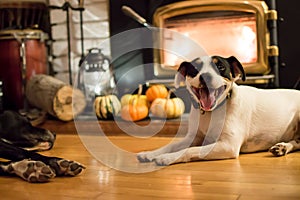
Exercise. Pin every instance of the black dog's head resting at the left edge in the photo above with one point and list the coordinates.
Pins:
(18, 131)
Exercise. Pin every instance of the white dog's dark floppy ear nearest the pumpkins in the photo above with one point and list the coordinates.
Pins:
(185, 69)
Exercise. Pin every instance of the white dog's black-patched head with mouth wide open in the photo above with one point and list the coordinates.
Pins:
(209, 79)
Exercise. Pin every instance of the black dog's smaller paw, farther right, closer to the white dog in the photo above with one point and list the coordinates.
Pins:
(64, 167)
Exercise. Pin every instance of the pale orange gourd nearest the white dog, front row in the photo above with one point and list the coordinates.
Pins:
(167, 107)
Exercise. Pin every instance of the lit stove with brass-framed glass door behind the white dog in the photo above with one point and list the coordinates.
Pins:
(245, 29)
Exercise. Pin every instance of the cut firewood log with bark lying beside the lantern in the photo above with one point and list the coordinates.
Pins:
(54, 96)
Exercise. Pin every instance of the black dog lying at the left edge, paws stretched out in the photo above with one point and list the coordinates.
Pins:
(19, 141)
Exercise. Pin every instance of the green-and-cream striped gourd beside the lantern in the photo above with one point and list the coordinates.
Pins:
(106, 107)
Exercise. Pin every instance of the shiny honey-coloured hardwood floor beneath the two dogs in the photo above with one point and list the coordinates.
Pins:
(251, 176)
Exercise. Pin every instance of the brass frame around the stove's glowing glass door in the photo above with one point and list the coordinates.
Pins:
(258, 7)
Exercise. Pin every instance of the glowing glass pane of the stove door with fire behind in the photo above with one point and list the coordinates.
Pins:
(223, 33)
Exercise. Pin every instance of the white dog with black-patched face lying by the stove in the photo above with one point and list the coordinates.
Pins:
(232, 118)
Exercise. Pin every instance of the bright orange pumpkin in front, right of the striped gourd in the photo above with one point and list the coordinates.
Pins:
(135, 109)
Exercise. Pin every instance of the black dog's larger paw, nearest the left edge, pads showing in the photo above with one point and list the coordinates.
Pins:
(31, 171)
